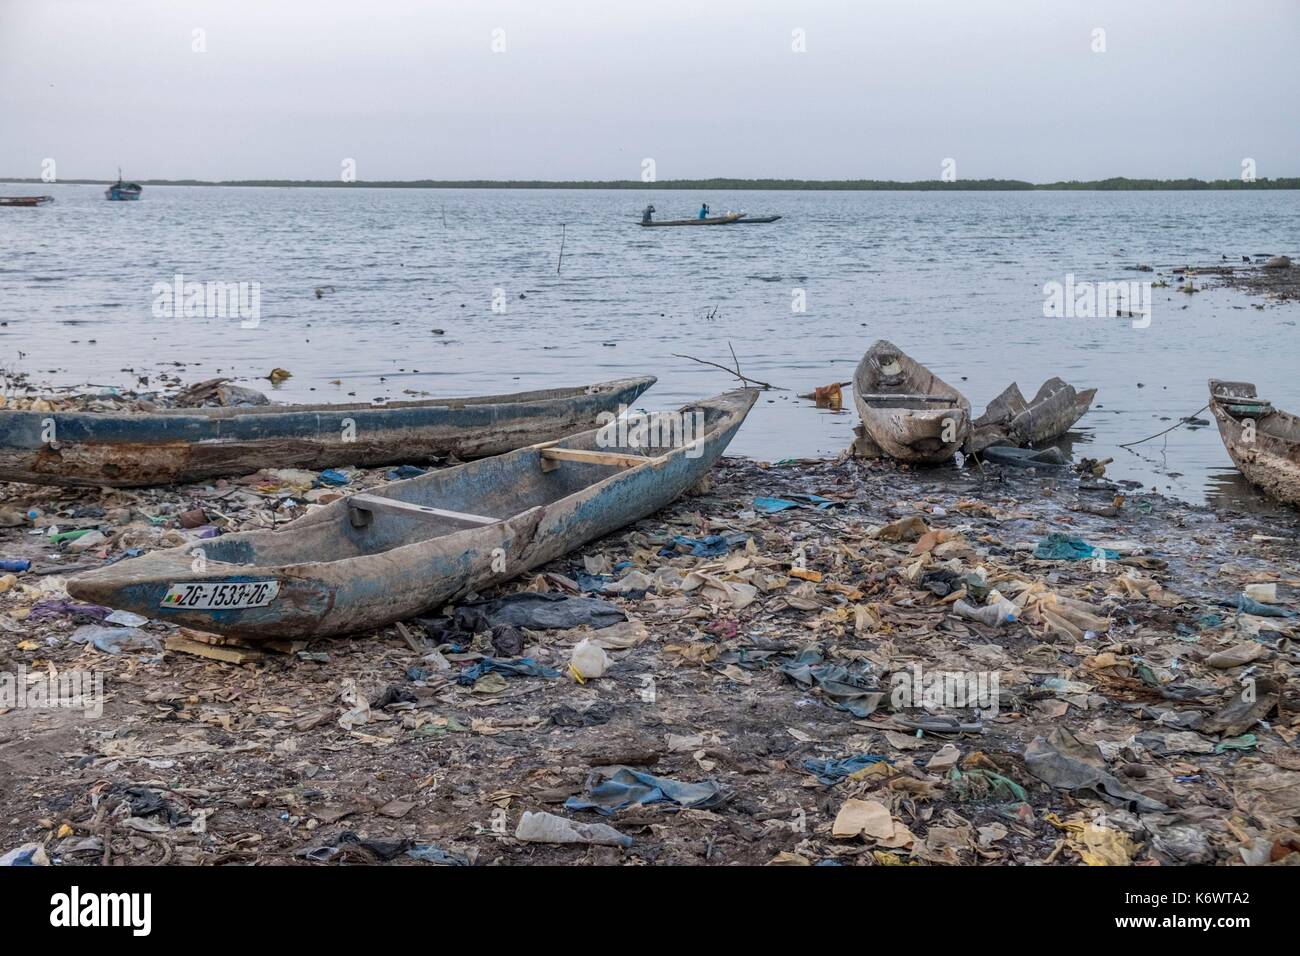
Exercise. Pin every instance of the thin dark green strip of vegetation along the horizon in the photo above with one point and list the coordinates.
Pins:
(1117, 184)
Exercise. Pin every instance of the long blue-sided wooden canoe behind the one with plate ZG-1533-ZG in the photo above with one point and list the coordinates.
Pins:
(196, 444)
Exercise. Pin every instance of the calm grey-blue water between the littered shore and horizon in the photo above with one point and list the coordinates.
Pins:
(956, 280)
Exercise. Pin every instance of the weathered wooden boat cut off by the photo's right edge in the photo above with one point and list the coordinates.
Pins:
(1263, 442)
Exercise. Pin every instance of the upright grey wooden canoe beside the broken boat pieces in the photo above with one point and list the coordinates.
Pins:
(908, 413)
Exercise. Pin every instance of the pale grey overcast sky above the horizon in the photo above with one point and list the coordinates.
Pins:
(887, 89)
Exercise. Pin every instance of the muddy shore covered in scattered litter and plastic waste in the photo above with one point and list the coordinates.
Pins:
(263, 752)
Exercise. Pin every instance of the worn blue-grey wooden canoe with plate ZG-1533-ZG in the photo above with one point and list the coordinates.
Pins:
(406, 550)
